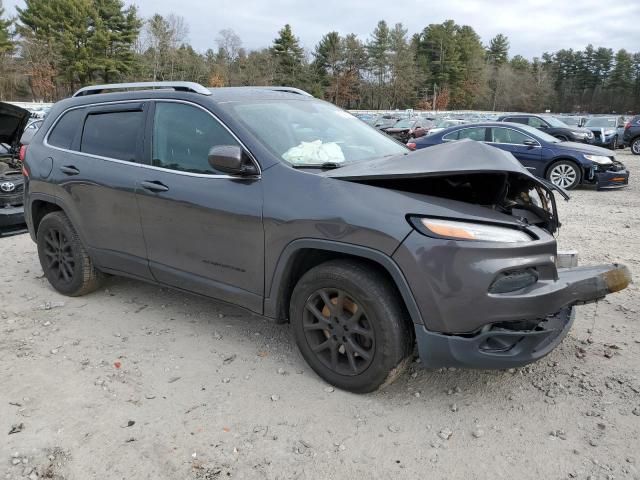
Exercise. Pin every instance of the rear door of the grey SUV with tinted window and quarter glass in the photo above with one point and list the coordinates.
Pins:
(96, 152)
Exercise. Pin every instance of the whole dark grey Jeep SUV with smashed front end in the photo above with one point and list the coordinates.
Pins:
(364, 247)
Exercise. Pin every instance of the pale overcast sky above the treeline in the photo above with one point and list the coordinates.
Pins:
(532, 26)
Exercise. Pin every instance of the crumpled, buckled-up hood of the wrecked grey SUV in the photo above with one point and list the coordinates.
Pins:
(460, 157)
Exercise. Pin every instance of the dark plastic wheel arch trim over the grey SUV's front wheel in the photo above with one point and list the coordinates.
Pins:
(301, 255)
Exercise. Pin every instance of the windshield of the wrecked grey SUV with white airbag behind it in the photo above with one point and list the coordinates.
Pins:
(307, 133)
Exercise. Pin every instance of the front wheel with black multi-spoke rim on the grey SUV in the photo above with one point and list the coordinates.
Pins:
(350, 325)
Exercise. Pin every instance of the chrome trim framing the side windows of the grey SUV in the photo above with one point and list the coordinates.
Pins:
(152, 167)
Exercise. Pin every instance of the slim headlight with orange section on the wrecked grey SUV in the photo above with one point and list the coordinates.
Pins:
(473, 231)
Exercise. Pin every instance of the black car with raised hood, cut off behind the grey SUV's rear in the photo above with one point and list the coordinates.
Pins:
(13, 121)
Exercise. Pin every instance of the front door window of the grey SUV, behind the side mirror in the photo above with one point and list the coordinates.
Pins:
(183, 135)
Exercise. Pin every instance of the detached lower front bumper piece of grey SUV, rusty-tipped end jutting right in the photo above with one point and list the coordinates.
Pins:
(515, 343)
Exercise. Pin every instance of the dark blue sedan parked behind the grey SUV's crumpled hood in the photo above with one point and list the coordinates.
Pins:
(565, 164)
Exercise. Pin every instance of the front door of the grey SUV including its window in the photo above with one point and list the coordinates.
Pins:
(203, 229)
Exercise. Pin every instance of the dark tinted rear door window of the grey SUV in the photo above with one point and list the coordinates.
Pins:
(113, 134)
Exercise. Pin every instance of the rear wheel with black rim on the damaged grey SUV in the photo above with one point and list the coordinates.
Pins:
(63, 258)
